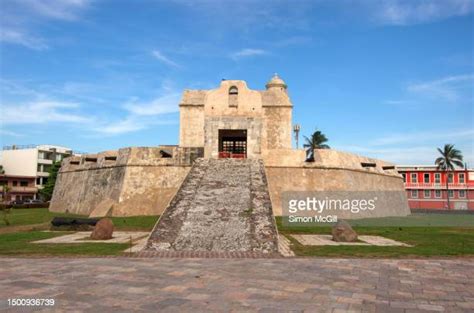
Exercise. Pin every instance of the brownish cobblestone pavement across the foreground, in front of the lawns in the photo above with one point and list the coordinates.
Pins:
(221, 285)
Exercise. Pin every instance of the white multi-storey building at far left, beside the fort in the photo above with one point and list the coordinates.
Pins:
(32, 160)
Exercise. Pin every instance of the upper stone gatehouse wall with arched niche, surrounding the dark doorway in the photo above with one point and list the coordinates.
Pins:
(264, 114)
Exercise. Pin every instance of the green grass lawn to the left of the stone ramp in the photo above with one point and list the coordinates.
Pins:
(25, 226)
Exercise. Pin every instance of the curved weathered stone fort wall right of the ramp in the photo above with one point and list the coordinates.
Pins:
(335, 171)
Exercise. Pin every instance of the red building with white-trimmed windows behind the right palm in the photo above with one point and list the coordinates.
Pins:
(426, 187)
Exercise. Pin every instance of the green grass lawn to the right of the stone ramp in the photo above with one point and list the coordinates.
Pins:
(427, 241)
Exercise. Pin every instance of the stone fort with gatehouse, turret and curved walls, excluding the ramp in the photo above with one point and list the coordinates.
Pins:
(231, 121)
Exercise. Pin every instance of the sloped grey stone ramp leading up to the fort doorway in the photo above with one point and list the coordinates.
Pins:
(222, 206)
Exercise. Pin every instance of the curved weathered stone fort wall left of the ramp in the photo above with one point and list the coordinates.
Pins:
(131, 181)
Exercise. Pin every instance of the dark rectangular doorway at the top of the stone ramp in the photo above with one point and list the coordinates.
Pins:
(233, 143)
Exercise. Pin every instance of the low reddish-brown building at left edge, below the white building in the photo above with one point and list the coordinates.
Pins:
(20, 188)
